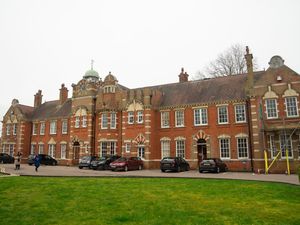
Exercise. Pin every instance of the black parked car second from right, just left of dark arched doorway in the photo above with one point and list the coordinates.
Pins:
(174, 164)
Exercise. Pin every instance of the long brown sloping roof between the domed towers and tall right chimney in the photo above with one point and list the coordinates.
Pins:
(218, 89)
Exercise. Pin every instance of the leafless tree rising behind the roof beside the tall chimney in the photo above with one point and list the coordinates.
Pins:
(230, 62)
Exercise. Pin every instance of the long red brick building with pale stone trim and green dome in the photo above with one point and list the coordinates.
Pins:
(235, 118)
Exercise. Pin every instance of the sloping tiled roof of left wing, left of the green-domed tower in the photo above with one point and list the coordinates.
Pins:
(52, 109)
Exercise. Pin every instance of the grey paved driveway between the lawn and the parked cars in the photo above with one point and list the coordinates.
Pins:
(27, 170)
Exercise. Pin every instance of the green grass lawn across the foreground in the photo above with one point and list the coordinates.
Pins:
(38, 200)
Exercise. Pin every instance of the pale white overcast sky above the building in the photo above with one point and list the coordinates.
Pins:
(46, 43)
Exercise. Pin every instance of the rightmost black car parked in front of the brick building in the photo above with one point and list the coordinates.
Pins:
(212, 165)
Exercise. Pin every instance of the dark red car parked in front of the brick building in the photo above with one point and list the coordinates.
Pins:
(123, 163)
